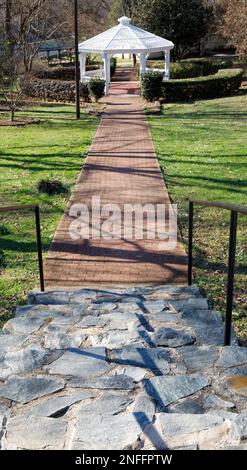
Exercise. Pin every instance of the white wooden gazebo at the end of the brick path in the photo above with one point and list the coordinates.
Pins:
(125, 38)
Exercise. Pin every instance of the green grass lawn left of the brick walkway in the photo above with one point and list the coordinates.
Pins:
(53, 149)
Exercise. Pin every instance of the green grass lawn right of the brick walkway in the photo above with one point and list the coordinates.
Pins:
(202, 150)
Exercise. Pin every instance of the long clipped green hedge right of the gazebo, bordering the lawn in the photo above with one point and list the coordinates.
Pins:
(225, 82)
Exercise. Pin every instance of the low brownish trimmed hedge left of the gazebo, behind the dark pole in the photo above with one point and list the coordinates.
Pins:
(53, 90)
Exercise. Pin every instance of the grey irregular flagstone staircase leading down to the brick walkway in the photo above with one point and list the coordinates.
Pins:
(136, 368)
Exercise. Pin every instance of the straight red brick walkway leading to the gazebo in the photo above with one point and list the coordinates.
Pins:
(121, 167)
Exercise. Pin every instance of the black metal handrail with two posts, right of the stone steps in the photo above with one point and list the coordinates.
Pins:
(235, 210)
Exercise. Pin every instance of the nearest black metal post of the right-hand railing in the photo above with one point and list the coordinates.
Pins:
(230, 280)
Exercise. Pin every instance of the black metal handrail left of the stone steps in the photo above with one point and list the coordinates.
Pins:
(36, 208)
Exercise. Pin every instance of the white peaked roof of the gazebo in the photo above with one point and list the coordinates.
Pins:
(125, 38)
